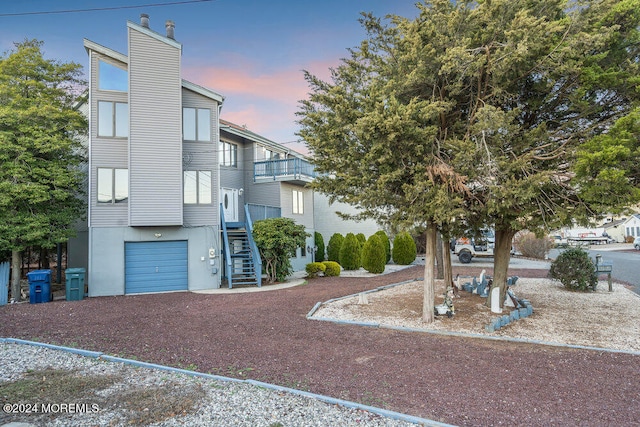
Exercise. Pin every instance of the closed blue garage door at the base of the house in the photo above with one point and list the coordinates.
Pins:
(155, 266)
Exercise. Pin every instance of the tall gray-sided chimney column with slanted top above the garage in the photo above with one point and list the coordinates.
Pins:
(155, 132)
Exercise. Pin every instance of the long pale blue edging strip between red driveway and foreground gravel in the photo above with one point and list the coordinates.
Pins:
(326, 399)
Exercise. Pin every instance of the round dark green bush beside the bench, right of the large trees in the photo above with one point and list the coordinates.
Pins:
(575, 270)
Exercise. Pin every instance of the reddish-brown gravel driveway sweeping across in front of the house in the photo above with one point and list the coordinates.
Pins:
(266, 336)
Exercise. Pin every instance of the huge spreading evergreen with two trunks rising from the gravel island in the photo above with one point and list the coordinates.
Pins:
(470, 114)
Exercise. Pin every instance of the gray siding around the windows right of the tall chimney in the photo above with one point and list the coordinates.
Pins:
(202, 156)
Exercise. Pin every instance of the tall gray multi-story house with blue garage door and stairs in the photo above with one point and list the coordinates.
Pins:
(172, 188)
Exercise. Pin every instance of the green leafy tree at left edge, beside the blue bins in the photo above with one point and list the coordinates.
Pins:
(40, 151)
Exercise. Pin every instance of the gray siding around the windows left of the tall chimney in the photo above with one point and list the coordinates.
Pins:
(105, 152)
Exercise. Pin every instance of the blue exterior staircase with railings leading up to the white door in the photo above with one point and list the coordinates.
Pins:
(243, 265)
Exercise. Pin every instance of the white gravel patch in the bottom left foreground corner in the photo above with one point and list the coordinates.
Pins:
(223, 403)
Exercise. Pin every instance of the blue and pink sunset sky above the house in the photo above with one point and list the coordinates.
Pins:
(250, 51)
